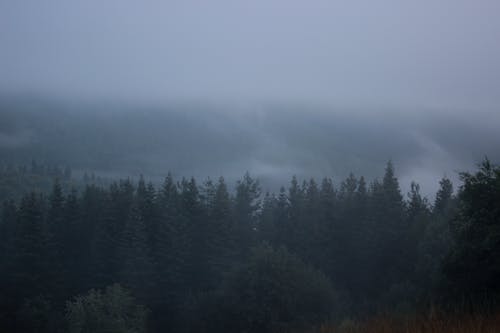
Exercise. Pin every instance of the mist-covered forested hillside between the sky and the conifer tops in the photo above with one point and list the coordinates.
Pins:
(272, 141)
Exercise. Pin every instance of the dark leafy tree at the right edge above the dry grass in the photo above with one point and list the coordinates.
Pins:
(472, 269)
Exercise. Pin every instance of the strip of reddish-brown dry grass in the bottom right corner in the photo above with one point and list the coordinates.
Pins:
(430, 324)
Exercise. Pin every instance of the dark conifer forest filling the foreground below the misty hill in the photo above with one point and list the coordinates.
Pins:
(84, 256)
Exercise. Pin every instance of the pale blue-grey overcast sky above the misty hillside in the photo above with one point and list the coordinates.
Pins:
(427, 53)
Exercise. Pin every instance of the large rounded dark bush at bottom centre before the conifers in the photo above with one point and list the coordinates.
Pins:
(273, 291)
